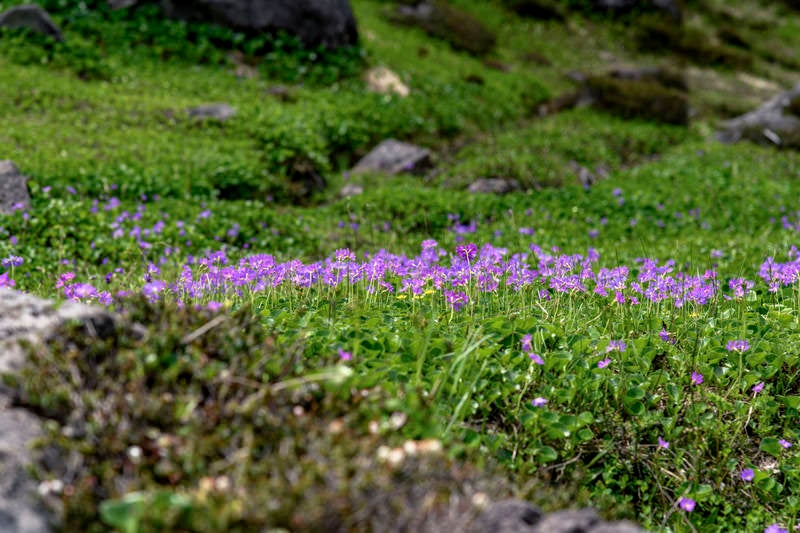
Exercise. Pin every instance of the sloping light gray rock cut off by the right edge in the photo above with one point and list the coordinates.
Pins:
(776, 122)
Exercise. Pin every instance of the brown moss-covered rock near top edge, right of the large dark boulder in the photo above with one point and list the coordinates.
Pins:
(449, 23)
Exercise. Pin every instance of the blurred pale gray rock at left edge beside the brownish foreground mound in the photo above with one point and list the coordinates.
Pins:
(33, 320)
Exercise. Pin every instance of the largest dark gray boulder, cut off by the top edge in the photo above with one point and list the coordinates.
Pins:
(327, 23)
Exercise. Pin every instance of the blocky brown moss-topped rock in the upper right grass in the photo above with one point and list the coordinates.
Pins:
(642, 99)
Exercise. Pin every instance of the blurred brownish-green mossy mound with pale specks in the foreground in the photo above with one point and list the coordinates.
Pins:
(226, 429)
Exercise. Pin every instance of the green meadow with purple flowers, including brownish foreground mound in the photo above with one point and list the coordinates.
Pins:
(633, 345)
